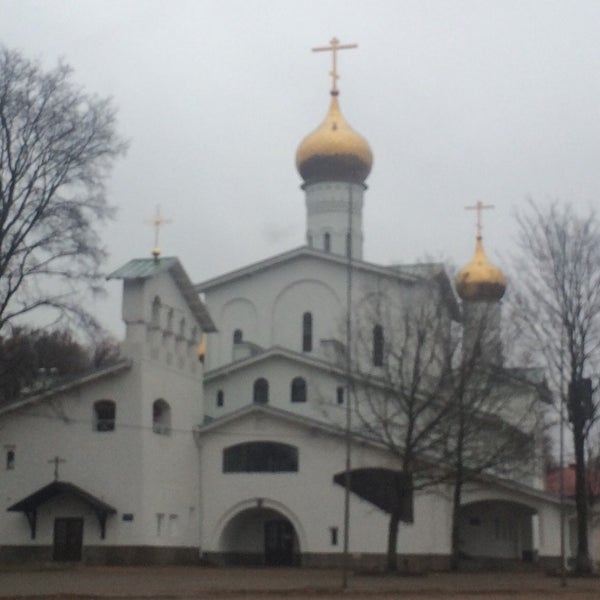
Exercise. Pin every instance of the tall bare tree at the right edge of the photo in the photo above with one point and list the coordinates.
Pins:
(557, 309)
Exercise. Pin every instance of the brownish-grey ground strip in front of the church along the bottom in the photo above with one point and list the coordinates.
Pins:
(183, 583)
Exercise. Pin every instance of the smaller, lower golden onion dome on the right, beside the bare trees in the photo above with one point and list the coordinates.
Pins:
(480, 280)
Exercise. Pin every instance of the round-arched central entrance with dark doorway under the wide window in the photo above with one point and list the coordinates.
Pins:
(260, 536)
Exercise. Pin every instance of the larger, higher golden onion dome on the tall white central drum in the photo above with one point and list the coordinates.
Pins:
(334, 151)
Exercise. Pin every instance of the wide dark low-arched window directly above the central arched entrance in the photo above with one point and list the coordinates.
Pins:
(260, 457)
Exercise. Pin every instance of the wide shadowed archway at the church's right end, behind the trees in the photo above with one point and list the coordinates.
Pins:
(497, 529)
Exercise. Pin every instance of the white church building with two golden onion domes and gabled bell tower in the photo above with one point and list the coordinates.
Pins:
(162, 458)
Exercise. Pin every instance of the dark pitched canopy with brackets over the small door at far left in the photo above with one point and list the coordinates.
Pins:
(31, 503)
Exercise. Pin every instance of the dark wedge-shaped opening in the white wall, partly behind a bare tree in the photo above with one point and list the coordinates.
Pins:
(389, 490)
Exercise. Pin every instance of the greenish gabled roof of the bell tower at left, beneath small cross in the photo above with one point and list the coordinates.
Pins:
(145, 268)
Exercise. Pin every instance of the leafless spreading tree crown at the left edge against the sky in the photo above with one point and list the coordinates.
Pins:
(57, 145)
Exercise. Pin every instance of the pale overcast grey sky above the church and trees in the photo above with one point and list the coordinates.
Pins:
(461, 100)
